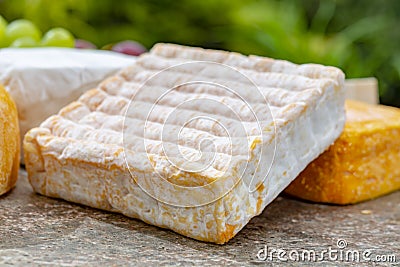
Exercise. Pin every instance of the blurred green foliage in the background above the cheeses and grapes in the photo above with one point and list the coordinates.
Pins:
(360, 36)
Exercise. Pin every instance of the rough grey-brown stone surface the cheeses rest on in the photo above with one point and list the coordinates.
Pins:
(36, 230)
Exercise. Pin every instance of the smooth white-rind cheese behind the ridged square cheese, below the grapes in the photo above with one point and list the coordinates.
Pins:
(43, 80)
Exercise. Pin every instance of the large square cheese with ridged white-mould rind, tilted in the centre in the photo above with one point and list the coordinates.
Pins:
(197, 141)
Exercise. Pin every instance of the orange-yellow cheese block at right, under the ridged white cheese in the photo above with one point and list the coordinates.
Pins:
(364, 162)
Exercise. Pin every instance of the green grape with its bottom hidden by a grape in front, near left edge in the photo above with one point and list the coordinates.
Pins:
(22, 28)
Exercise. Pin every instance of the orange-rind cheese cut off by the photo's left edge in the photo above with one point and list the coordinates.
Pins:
(9, 142)
